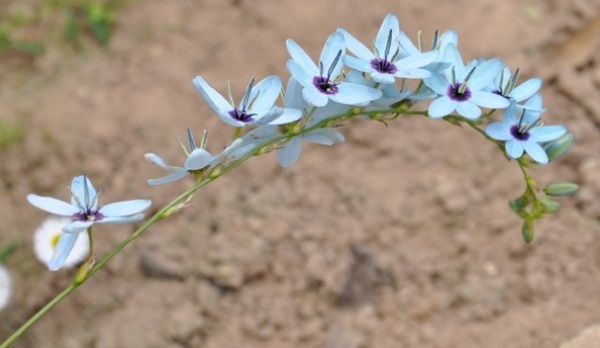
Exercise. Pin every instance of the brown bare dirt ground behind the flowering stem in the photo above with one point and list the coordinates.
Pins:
(401, 237)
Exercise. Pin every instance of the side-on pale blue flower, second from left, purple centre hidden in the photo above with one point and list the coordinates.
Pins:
(198, 159)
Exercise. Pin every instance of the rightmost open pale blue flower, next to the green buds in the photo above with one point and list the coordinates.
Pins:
(523, 131)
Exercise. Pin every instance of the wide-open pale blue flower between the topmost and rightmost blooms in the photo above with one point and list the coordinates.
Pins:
(461, 87)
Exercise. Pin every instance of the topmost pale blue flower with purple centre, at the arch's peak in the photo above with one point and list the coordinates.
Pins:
(385, 64)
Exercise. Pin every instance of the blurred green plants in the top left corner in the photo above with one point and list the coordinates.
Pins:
(72, 19)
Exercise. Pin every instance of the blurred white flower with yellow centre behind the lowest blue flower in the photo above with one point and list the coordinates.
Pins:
(46, 238)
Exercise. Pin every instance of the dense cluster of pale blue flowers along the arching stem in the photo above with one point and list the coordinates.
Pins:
(348, 75)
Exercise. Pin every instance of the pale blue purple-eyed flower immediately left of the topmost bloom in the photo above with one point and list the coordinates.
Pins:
(320, 84)
